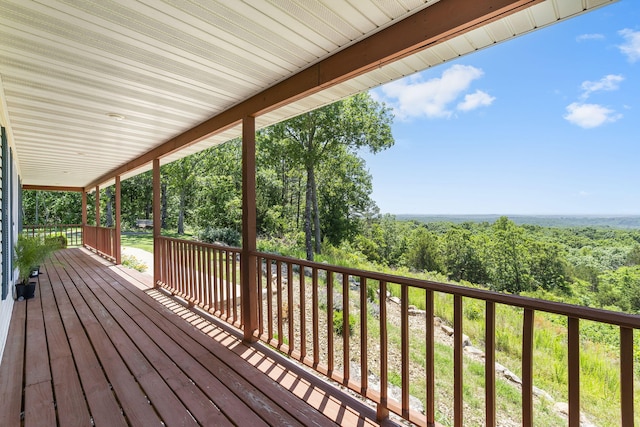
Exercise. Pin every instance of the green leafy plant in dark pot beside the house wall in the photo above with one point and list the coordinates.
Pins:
(29, 253)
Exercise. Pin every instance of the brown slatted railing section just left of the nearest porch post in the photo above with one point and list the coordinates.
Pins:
(203, 274)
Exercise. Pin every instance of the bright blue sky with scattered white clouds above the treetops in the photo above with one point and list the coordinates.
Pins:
(545, 124)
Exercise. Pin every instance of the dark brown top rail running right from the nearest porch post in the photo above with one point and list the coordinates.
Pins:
(570, 310)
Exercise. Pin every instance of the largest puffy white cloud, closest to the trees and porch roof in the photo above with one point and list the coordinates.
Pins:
(412, 97)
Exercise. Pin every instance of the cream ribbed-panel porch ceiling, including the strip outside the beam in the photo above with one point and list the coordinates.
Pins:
(89, 87)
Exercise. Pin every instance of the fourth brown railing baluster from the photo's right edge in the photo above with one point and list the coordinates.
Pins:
(490, 364)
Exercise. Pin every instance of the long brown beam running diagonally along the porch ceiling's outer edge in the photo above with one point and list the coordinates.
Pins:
(432, 25)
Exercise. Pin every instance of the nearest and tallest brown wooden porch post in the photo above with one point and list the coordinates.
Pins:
(248, 264)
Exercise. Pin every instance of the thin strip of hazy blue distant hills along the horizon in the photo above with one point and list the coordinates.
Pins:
(608, 221)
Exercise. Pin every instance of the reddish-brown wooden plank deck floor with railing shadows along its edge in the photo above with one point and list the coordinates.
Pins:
(96, 346)
